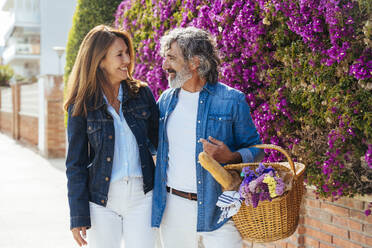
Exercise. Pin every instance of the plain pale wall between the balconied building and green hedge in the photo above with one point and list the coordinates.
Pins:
(56, 21)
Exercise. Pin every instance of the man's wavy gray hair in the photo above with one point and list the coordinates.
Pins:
(195, 42)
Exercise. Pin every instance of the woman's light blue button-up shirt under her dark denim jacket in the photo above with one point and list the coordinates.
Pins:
(126, 161)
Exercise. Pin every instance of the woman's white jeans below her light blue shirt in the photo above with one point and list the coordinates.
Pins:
(126, 218)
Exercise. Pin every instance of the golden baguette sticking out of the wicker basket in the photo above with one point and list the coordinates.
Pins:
(221, 175)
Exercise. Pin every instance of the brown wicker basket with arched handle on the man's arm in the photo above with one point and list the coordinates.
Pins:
(278, 219)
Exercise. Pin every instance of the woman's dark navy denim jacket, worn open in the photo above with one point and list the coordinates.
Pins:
(91, 150)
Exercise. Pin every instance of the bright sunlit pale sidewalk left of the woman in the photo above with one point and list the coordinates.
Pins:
(33, 199)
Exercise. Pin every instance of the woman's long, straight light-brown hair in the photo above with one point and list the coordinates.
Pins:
(87, 81)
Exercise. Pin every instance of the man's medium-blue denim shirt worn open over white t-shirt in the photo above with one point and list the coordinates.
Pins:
(224, 114)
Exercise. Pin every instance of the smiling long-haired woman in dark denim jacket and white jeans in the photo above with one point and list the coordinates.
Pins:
(112, 126)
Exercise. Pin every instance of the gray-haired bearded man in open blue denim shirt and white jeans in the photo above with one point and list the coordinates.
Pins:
(197, 113)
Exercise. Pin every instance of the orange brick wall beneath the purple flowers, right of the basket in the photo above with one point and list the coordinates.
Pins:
(325, 224)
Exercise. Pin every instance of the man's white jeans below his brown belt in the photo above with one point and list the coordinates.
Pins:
(178, 228)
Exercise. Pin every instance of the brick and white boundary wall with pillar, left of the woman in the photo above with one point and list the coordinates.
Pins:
(23, 118)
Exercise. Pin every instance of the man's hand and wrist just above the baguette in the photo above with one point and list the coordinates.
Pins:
(219, 151)
